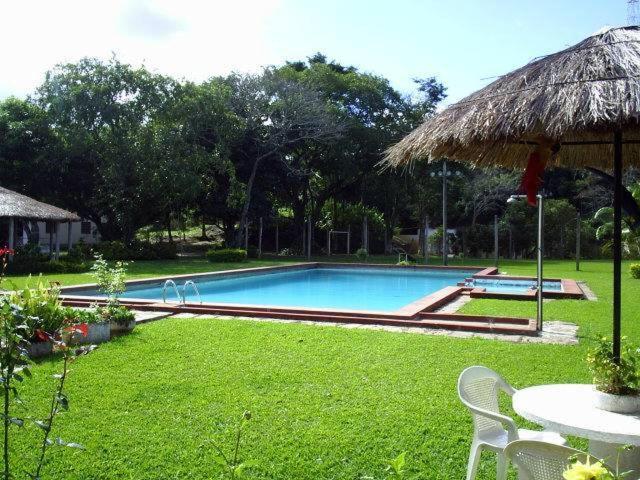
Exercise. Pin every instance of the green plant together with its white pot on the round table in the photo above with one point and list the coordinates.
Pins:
(617, 384)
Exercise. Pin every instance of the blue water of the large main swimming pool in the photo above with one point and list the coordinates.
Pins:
(378, 289)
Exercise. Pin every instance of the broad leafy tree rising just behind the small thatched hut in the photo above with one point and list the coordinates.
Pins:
(102, 112)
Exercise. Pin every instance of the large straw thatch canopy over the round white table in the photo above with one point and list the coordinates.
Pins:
(579, 94)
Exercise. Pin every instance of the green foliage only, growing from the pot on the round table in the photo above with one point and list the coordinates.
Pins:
(622, 378)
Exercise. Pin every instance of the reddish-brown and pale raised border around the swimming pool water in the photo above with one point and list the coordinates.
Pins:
(418, 314)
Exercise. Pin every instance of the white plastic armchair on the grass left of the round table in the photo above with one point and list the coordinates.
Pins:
(478, 388)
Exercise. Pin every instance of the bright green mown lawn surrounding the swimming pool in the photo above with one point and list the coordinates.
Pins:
(327, 403)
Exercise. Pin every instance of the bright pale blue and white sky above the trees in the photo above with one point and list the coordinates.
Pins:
(464, 43)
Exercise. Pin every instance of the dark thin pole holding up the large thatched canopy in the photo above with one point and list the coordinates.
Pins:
(617, 241)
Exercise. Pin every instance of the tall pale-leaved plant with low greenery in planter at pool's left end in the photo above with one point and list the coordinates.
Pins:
(111, 281)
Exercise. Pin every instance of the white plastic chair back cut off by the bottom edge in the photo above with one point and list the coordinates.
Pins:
(540, 460)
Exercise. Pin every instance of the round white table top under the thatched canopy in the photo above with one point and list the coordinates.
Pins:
(569, 409)
